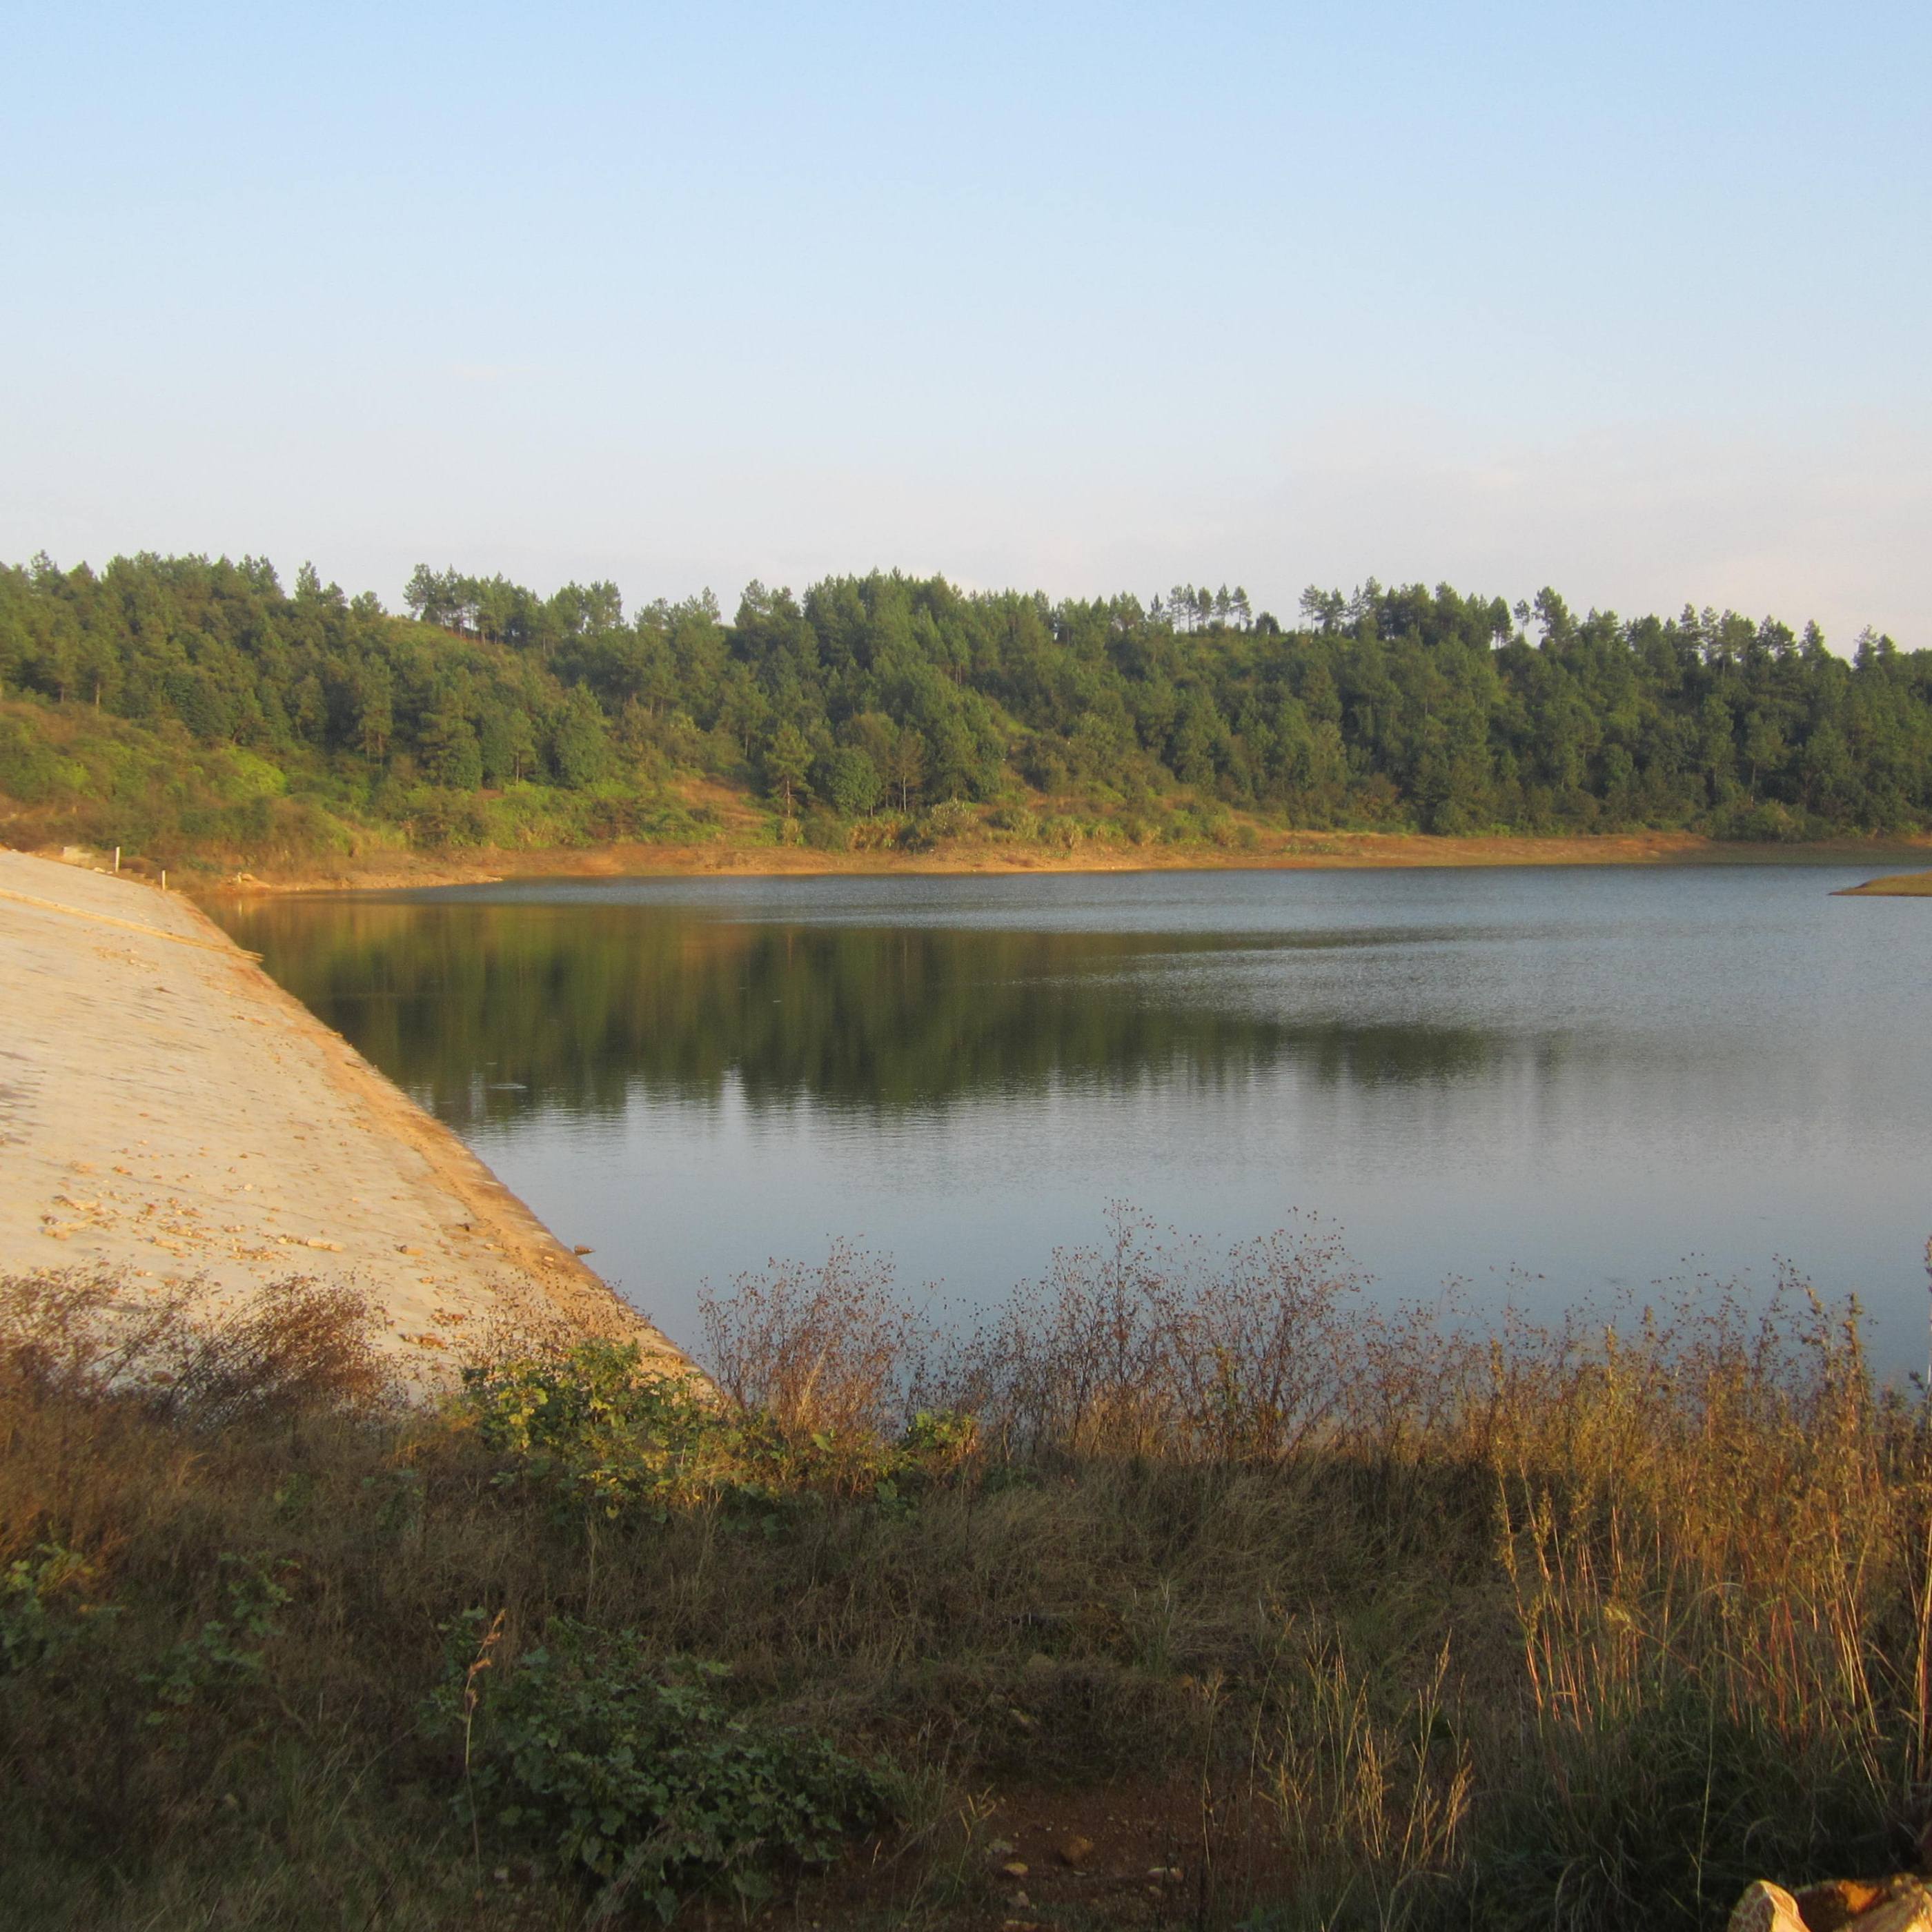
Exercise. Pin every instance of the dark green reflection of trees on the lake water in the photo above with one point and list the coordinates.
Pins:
(488, 1011)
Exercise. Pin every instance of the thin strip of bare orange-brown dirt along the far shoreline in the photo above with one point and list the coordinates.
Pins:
(1288, 851)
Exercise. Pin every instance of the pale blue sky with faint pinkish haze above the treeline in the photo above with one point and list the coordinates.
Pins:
(1632, 300)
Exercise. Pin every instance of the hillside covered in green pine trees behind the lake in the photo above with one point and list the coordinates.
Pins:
(179, 700)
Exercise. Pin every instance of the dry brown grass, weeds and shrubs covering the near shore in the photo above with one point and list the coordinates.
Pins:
(1185, 1591)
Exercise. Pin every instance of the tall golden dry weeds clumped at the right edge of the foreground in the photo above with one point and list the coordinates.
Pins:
(1715, 1535)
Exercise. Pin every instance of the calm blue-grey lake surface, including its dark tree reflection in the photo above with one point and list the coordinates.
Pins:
(1543, 1083)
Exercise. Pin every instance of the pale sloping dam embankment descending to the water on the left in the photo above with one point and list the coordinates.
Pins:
(169, 1114)
